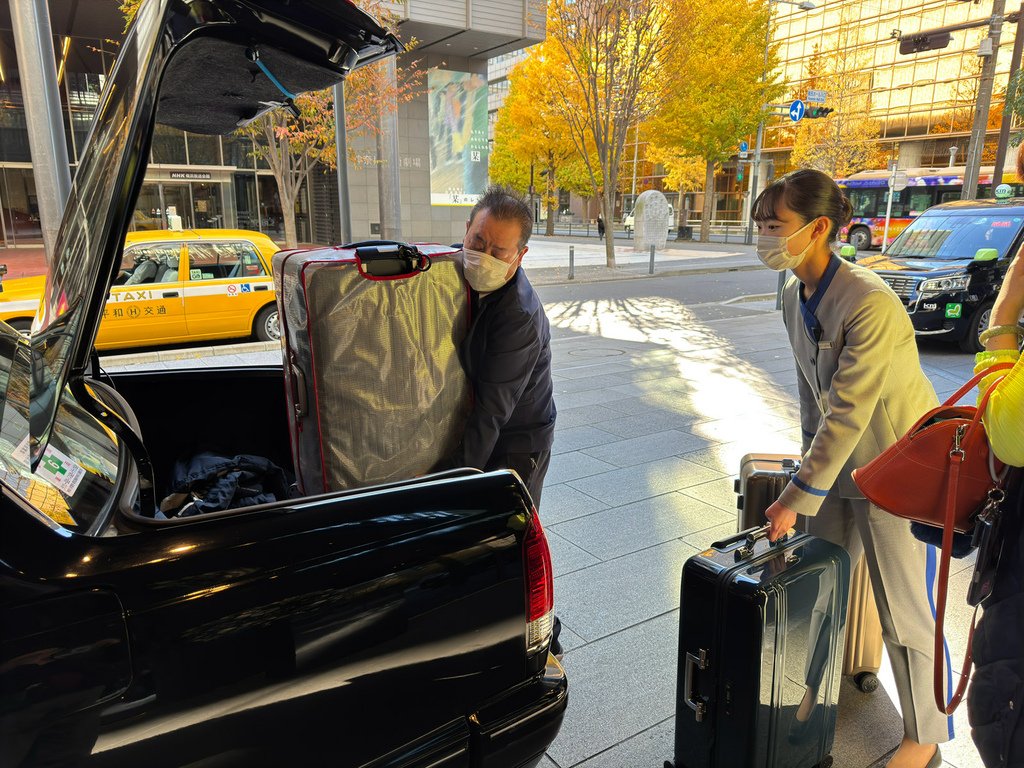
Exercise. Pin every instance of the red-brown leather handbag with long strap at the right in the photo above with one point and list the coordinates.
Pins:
(941, 474)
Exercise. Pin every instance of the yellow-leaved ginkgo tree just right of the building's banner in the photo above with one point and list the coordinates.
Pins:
(531, 135)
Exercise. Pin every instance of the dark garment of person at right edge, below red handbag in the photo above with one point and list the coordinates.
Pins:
(996, 699)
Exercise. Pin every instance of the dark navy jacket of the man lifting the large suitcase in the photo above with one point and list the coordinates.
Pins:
(507, 357)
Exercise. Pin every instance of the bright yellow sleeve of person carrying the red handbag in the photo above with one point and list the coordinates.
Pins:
(1005, 416)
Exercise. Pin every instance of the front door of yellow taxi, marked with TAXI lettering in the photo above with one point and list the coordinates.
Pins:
(147, 302)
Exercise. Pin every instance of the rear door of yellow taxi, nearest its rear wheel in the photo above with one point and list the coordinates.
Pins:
(227, 286)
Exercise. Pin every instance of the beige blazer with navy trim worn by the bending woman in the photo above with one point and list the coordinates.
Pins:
(862, 387)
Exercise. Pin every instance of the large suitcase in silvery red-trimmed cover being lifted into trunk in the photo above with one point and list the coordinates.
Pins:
(370, 335)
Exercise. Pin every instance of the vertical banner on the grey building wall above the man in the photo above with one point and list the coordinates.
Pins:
(458, 114)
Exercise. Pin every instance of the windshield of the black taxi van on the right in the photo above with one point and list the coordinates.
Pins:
(956, 237)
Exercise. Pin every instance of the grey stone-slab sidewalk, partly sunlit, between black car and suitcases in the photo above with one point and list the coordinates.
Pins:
(658, 402)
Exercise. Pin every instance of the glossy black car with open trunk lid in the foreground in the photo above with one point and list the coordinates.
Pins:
(406, 625)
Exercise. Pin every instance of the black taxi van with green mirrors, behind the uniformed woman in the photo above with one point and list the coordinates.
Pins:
(949, 265)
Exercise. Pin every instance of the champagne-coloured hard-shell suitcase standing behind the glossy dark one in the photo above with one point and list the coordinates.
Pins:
(762, 479)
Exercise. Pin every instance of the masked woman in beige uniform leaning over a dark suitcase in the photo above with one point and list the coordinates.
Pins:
(862, 388)
